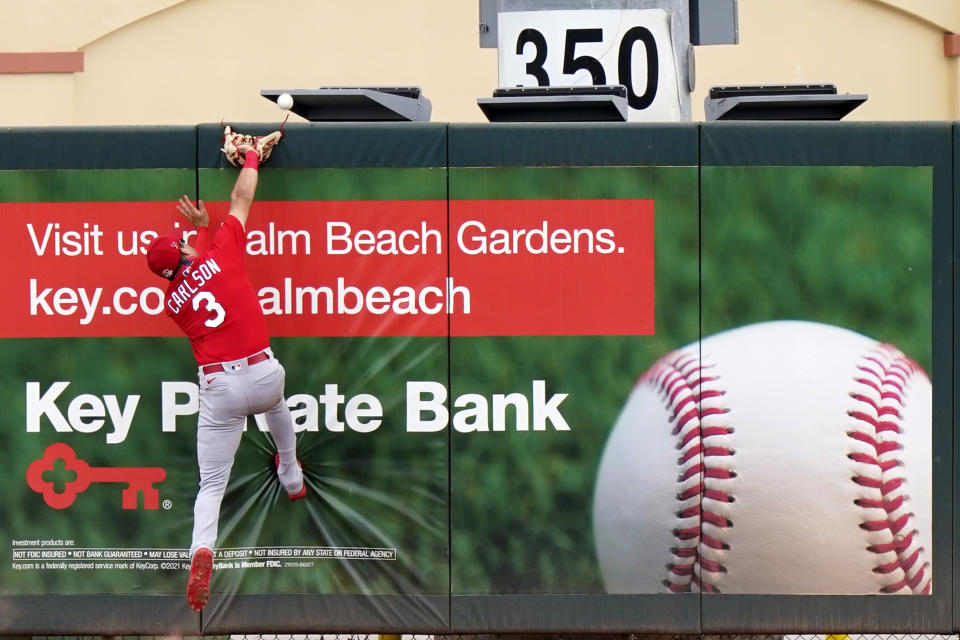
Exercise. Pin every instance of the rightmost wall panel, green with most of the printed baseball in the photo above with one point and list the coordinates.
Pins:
(826, 403)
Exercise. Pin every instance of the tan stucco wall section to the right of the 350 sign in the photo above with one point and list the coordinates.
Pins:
(862, 46)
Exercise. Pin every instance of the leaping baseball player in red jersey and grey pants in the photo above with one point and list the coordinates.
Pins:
(212, 301)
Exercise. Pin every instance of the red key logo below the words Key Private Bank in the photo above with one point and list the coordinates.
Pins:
(137, 479)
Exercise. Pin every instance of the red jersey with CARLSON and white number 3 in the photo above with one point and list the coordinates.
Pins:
(213, 302)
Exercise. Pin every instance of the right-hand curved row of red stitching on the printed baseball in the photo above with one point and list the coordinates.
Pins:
(885, 374)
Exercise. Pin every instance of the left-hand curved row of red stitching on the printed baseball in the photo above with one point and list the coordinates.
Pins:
(685, 384)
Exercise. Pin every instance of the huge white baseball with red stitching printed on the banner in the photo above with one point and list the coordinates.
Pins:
(791, 458)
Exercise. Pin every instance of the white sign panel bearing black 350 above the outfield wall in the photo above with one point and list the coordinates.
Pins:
(632, 47)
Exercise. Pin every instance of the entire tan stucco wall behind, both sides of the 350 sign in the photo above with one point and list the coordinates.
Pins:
(189, 61)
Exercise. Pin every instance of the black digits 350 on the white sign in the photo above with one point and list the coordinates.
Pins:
(573, 63)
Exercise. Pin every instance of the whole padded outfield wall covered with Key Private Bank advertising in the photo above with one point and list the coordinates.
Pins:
(546, 378)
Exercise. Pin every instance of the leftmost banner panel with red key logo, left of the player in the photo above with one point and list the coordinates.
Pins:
(98, 493)
